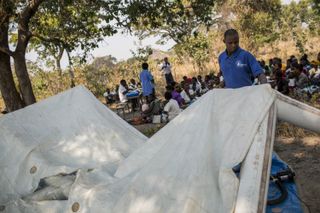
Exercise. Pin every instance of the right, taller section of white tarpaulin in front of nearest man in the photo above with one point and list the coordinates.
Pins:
(187, 165)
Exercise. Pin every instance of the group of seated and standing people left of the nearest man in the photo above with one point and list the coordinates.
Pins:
(177, 95)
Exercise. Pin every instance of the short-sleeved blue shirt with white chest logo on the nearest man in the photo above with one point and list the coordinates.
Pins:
(238, 68)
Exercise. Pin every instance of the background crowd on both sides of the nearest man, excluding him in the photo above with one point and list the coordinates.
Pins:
(296, 77)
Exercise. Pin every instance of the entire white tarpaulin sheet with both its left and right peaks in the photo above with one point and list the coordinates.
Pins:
(185, 167)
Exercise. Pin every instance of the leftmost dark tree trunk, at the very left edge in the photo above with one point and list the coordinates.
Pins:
(8, 89)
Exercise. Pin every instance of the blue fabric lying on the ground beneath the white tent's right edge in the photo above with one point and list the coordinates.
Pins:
(292, 203)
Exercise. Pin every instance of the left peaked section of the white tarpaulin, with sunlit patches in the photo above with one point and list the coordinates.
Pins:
(61, 134)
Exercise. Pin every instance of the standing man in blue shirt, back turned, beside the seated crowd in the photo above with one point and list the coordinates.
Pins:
(147, 81)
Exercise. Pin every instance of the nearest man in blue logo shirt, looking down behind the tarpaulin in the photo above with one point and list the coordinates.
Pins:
(238, 67)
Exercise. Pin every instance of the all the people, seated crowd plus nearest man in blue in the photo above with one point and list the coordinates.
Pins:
(238, 68)
